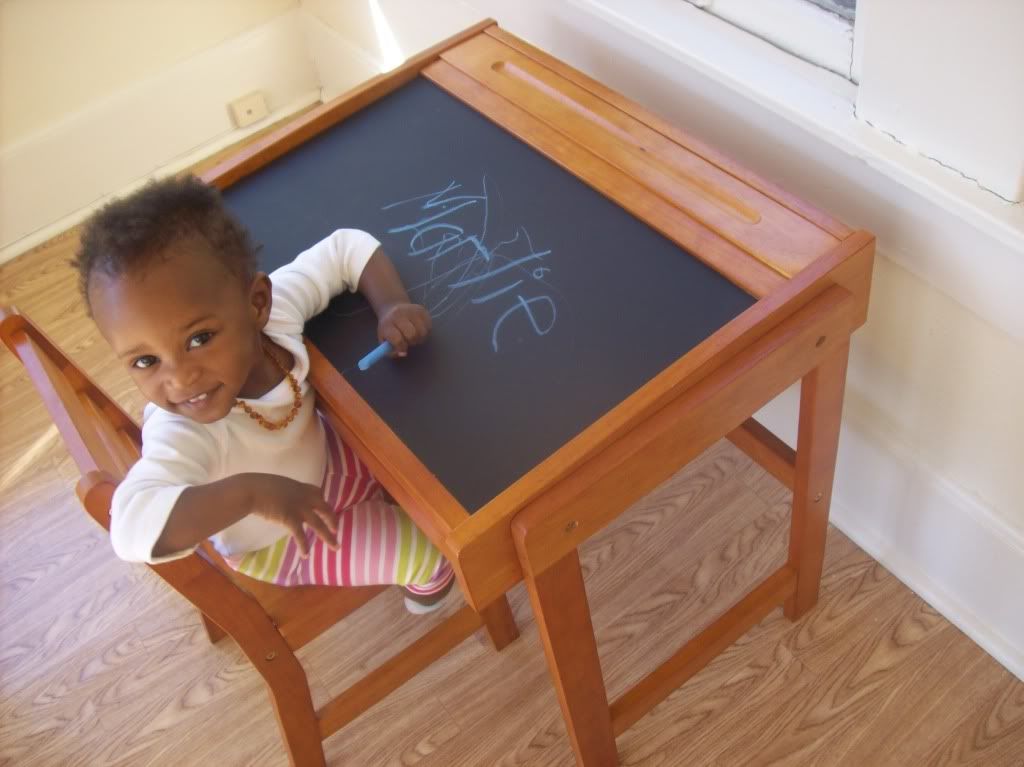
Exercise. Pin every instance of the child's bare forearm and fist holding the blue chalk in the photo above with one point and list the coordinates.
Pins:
(400, 322)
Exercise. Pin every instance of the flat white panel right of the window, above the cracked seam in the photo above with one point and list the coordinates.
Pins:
(956, 92)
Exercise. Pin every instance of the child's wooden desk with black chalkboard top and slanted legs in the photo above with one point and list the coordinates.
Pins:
(574, 248)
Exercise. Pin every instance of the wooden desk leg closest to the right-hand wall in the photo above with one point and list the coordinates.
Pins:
(818, 443)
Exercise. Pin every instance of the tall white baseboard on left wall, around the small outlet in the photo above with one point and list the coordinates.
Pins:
(54, 179)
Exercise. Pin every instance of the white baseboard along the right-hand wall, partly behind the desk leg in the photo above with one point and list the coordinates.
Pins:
(946, 545)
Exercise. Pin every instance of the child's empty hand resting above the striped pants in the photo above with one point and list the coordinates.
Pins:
(292, 505)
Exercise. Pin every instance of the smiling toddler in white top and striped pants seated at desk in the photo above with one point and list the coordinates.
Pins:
(233, 449)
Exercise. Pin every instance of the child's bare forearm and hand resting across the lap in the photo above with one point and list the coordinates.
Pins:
(204, 510)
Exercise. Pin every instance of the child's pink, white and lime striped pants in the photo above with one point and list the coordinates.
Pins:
(377, 542)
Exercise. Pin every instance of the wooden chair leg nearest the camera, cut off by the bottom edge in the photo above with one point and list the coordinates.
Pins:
(289, 691)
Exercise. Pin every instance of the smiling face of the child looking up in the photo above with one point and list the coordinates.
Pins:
(187, 328)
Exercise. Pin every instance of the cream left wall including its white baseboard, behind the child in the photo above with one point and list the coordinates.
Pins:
(98, 97)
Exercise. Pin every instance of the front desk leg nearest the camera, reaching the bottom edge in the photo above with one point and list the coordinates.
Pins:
(560, 603)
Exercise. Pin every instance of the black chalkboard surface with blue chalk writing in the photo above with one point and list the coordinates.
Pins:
(550, 304)
